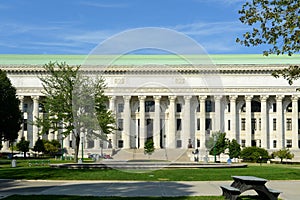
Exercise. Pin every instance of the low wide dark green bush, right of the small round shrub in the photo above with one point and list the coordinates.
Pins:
(254, 154)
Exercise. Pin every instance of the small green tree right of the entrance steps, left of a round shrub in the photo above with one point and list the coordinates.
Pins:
(220, 143)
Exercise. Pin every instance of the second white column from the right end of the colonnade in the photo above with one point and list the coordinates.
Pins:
(280, 121)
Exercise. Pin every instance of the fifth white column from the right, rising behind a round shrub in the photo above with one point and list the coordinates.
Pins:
(233, 128)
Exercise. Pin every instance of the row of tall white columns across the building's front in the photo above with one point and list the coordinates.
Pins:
(188, 120)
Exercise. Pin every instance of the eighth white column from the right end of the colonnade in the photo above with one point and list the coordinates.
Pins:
(186, 122)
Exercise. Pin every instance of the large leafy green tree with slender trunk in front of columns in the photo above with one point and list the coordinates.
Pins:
(74, 104)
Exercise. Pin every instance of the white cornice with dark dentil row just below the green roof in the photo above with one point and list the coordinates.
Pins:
(156, 69)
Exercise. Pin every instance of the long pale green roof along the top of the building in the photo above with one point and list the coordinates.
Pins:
(149, 59)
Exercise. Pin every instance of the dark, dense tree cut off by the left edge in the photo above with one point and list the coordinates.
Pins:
(10, 114)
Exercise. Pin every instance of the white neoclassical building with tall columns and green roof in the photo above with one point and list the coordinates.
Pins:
(177, 102)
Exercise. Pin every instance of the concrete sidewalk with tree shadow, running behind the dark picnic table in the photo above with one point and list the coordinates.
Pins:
(290, 189)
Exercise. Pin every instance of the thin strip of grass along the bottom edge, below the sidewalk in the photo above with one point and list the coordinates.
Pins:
(57, 197)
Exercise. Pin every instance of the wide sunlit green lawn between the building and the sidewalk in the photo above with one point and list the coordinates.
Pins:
(270, 172)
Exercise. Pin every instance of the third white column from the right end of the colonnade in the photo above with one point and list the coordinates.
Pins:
(264, 122)
